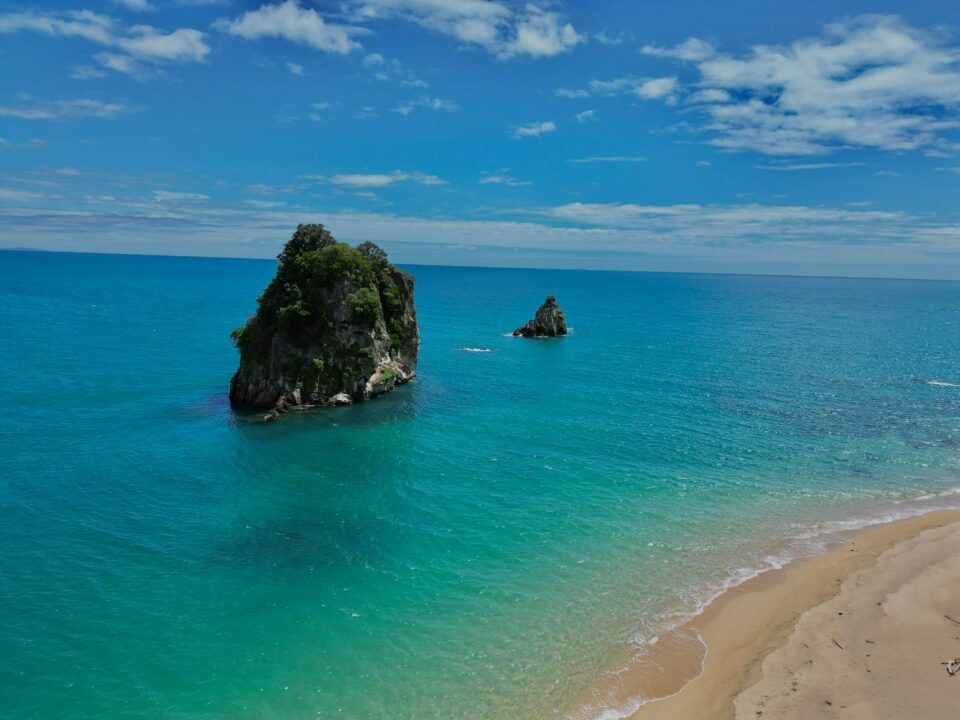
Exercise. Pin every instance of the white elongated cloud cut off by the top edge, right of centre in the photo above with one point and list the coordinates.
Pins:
(500, 28)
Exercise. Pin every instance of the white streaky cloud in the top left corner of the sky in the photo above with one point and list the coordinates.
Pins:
(130, 47)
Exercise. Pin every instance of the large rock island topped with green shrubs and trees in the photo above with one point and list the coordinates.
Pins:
(336, 325)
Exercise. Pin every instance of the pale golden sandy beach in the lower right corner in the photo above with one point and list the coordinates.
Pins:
(857, 632)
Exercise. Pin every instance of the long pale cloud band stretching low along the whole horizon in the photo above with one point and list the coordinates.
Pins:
(736, 238)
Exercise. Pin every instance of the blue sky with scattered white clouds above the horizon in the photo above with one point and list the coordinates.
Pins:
(669, 135)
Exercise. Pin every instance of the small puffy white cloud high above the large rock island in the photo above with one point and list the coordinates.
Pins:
(290, 21)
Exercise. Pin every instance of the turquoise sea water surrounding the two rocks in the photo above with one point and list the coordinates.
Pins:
(487, 542)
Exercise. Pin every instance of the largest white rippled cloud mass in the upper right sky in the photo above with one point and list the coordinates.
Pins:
(871, 81)
